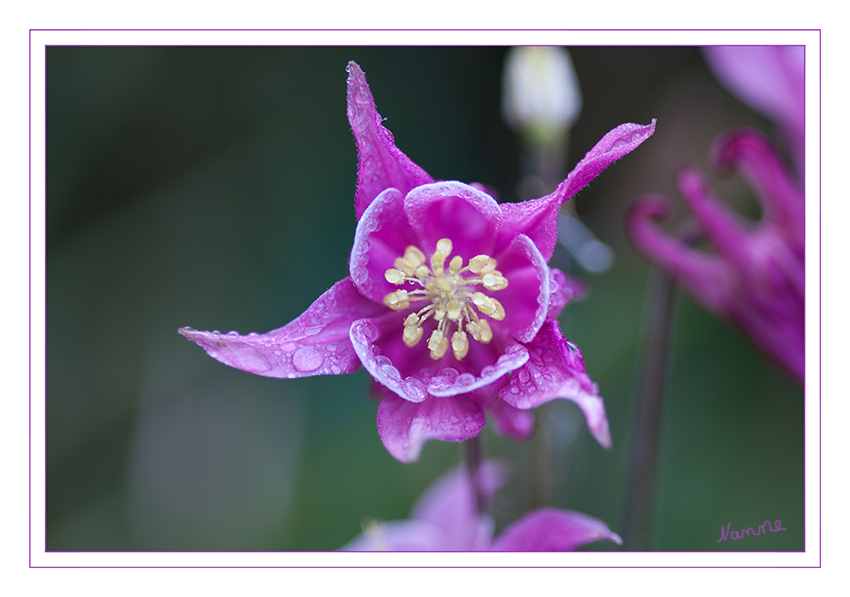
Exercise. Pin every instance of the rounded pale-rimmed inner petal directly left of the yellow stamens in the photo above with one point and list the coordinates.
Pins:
(381, 236)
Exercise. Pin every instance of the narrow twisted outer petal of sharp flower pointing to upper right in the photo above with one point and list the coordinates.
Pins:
(538, 218)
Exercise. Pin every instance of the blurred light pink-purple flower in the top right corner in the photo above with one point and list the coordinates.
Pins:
(771, 80)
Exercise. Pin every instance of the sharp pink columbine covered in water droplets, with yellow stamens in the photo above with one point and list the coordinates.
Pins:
(448, 294)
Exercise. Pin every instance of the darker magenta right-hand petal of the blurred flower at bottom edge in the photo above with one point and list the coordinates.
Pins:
(548, 529)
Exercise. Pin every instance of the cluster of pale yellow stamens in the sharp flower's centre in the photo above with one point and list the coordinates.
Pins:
(450, 295)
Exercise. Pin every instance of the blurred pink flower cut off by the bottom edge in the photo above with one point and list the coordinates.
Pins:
(445, 519)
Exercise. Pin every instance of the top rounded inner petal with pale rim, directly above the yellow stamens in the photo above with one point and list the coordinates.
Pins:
(454, 210)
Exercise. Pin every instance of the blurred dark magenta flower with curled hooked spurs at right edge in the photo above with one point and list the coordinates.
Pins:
(755, 277)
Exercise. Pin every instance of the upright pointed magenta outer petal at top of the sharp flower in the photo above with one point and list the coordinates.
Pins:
(381, 164)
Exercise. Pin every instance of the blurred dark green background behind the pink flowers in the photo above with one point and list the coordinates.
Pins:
(213, 188)
